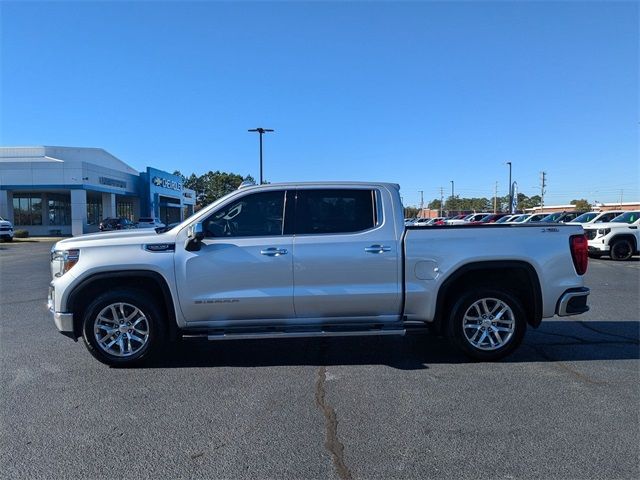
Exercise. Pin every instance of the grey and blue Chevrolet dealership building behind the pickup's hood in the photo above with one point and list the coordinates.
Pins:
(69, 190)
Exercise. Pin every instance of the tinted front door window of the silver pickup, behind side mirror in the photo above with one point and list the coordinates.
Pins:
(258, 214)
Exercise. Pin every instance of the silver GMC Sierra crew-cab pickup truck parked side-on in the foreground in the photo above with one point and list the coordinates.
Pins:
(314, 259)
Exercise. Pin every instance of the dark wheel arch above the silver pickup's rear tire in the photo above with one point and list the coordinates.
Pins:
(516, 276)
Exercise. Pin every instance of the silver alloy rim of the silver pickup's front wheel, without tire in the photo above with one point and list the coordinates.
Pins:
(121, 329)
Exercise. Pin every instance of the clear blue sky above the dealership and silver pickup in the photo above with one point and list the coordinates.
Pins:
(418, 93)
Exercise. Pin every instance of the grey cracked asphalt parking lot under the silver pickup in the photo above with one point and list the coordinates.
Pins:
(565, 405)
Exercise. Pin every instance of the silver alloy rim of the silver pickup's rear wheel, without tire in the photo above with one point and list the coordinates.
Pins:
(488, 324)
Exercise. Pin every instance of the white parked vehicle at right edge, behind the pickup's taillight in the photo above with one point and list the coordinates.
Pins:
(618, 238)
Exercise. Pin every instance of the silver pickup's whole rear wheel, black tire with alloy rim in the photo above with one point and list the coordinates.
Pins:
(512, 318)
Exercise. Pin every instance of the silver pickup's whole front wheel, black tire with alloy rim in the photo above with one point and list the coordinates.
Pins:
(149, 316)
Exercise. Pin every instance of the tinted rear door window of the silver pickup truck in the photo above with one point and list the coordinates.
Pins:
(334, 211)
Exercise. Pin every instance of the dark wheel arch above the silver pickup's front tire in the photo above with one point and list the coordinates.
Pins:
(146, 280)
